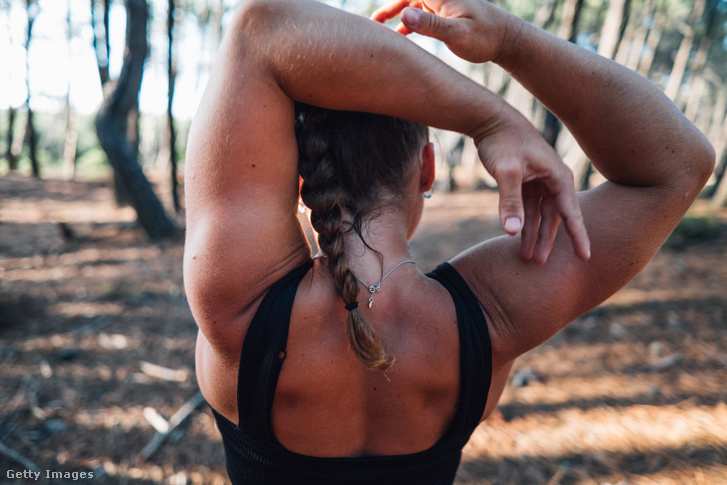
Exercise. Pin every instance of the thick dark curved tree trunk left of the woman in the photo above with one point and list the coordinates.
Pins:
(112, 126)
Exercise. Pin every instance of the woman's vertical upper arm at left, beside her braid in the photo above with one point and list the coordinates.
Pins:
(241, 187)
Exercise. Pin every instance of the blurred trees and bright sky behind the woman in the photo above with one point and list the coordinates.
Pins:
(68, 67)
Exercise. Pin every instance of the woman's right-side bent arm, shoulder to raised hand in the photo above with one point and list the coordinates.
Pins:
(655, 160)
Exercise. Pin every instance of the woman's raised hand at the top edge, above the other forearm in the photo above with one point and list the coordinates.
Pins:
(474, 30)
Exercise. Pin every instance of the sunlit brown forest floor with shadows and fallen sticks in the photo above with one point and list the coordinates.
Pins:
(96, 339)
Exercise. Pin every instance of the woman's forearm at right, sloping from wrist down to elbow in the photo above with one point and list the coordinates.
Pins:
(632, 133)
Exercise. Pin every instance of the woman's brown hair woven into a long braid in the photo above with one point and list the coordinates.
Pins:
(350, 162)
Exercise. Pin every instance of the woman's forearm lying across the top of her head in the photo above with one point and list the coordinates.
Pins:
(326, 57)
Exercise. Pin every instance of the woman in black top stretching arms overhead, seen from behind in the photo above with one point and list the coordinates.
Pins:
(353, 366)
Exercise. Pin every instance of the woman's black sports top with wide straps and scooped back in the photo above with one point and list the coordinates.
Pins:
(254, 456)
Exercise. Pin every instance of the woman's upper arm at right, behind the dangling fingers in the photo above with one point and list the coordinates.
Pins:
(529, 303)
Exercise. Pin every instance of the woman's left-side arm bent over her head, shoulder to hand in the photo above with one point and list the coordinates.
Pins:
(241, 169)
